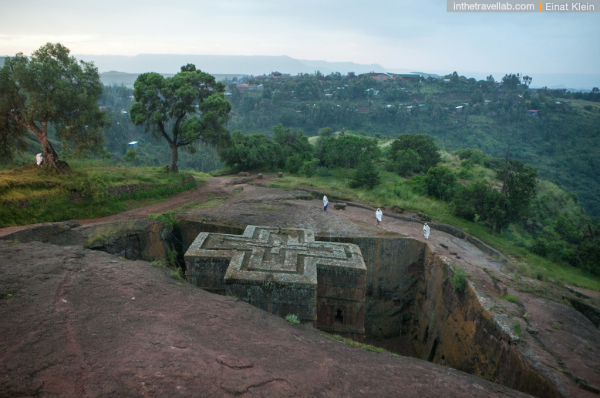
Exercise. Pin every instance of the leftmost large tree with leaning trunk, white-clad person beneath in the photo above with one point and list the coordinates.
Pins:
(52, 88)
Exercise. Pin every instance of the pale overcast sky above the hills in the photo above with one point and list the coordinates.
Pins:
(416, 35)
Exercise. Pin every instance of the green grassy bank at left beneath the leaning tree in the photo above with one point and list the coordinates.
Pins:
(31, 195)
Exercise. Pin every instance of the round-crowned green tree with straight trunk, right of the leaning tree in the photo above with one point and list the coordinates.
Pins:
(185, 109)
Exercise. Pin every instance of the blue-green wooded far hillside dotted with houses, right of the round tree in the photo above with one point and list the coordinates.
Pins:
(562, 141)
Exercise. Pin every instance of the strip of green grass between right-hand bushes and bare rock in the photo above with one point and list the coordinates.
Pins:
(394, 190)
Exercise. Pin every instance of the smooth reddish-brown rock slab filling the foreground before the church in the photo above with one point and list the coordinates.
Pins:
(85, 323)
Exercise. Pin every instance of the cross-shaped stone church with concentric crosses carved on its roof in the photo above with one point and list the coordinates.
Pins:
(283, 271)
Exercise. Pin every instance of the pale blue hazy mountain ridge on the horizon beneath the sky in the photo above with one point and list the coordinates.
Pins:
(222, 64)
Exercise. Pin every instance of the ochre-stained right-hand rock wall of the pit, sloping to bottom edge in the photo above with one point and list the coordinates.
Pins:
(453, 329)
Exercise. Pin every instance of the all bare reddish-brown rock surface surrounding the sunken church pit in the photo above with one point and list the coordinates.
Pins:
(72, 326)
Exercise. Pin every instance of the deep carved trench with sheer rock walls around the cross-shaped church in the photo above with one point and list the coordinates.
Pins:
(412, 310)
